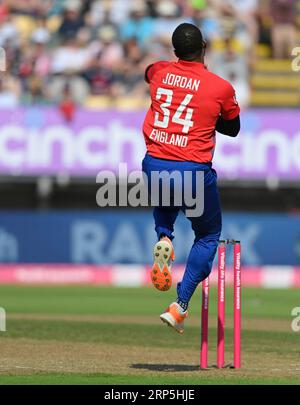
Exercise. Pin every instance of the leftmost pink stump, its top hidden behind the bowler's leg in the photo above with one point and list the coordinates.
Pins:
(204, 323)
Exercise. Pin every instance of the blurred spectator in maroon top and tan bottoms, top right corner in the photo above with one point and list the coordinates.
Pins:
(283, 19)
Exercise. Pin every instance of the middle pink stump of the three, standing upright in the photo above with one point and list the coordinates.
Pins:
(221, 304)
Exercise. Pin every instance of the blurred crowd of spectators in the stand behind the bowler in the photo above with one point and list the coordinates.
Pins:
(94, 52)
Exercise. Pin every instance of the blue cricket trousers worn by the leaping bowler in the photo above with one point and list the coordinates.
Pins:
(207, 227)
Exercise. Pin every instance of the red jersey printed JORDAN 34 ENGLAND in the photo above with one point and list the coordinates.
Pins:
(187, 100)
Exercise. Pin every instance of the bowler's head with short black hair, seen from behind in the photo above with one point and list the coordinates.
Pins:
(188, 42)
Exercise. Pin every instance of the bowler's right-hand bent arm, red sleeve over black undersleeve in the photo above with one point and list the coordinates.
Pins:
(229, 120)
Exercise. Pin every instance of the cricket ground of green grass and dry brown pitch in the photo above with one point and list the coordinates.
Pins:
(101, 335)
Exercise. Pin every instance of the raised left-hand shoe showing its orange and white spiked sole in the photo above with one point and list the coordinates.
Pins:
(163, 254)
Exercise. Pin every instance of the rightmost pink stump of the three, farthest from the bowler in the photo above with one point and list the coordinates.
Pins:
(237, 306)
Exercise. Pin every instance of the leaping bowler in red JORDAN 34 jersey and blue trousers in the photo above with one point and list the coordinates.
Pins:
(189, 104)
